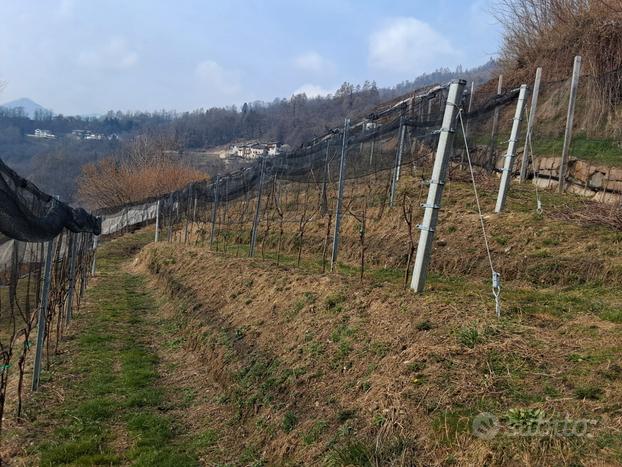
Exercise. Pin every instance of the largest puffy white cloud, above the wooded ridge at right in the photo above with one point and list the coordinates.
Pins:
(409, 45)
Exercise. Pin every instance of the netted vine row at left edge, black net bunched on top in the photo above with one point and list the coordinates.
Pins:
(36, 229)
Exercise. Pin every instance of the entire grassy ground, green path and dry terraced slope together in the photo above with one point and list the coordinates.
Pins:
(286, 364)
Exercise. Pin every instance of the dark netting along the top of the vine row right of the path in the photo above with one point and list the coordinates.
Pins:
(371, 147)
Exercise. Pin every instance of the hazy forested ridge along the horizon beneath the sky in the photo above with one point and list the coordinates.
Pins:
(292, 120)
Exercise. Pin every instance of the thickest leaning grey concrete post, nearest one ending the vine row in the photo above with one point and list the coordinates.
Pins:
(437, 183)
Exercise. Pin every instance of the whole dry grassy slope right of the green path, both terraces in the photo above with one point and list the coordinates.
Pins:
(323, 368)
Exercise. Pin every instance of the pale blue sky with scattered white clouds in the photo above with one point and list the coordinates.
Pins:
(90, 56)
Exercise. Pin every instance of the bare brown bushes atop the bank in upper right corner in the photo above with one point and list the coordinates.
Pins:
(549, 33)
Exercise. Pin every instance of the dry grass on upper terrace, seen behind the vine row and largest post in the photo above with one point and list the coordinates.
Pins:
(556, 248)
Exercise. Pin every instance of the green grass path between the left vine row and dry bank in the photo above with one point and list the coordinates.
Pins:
(113, 409)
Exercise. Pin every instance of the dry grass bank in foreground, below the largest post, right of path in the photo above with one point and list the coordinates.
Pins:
(358, 361)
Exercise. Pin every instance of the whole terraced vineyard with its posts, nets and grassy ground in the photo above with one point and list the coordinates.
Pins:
(281, 304)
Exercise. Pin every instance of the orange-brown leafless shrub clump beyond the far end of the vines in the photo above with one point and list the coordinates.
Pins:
(145, 169)
